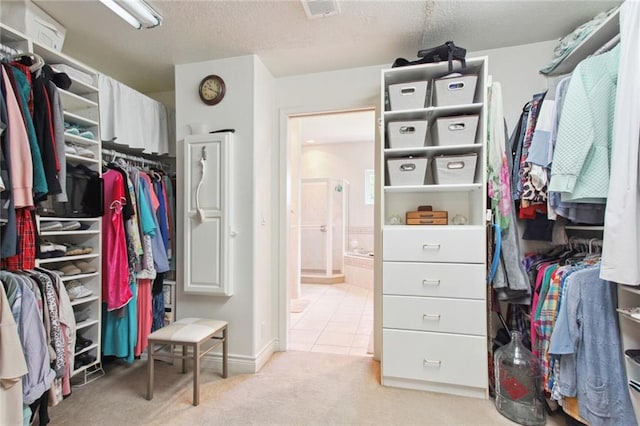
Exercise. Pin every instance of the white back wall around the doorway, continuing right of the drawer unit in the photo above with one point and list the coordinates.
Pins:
(515, 67)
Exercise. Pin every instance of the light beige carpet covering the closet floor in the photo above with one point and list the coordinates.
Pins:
(294, 388)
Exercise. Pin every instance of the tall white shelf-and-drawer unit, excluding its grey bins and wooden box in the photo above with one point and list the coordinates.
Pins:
(434, 311)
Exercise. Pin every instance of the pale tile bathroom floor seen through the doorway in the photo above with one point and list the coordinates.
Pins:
(338, 319)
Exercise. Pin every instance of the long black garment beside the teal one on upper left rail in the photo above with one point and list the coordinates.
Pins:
(43, 124)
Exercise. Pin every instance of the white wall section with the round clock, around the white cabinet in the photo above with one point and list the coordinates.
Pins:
(250, 116)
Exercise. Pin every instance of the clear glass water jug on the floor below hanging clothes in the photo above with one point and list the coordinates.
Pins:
(517, 382)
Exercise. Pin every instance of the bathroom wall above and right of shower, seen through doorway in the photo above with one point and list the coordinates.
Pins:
(346, 161)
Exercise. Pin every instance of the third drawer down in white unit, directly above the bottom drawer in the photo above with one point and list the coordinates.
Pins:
(433, 314)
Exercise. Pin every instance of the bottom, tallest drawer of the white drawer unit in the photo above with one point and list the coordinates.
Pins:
(435, 357)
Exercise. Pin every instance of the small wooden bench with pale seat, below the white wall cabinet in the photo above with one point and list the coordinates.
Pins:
(188, 332)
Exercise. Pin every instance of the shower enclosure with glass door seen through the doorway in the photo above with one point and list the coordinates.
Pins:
(324, 205)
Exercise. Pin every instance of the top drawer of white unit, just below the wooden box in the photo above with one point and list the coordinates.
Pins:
(463, 244)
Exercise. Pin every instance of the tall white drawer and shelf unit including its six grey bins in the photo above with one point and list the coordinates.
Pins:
(434, 290)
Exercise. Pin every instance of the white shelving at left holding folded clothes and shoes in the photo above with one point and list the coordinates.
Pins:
(80, 103)
